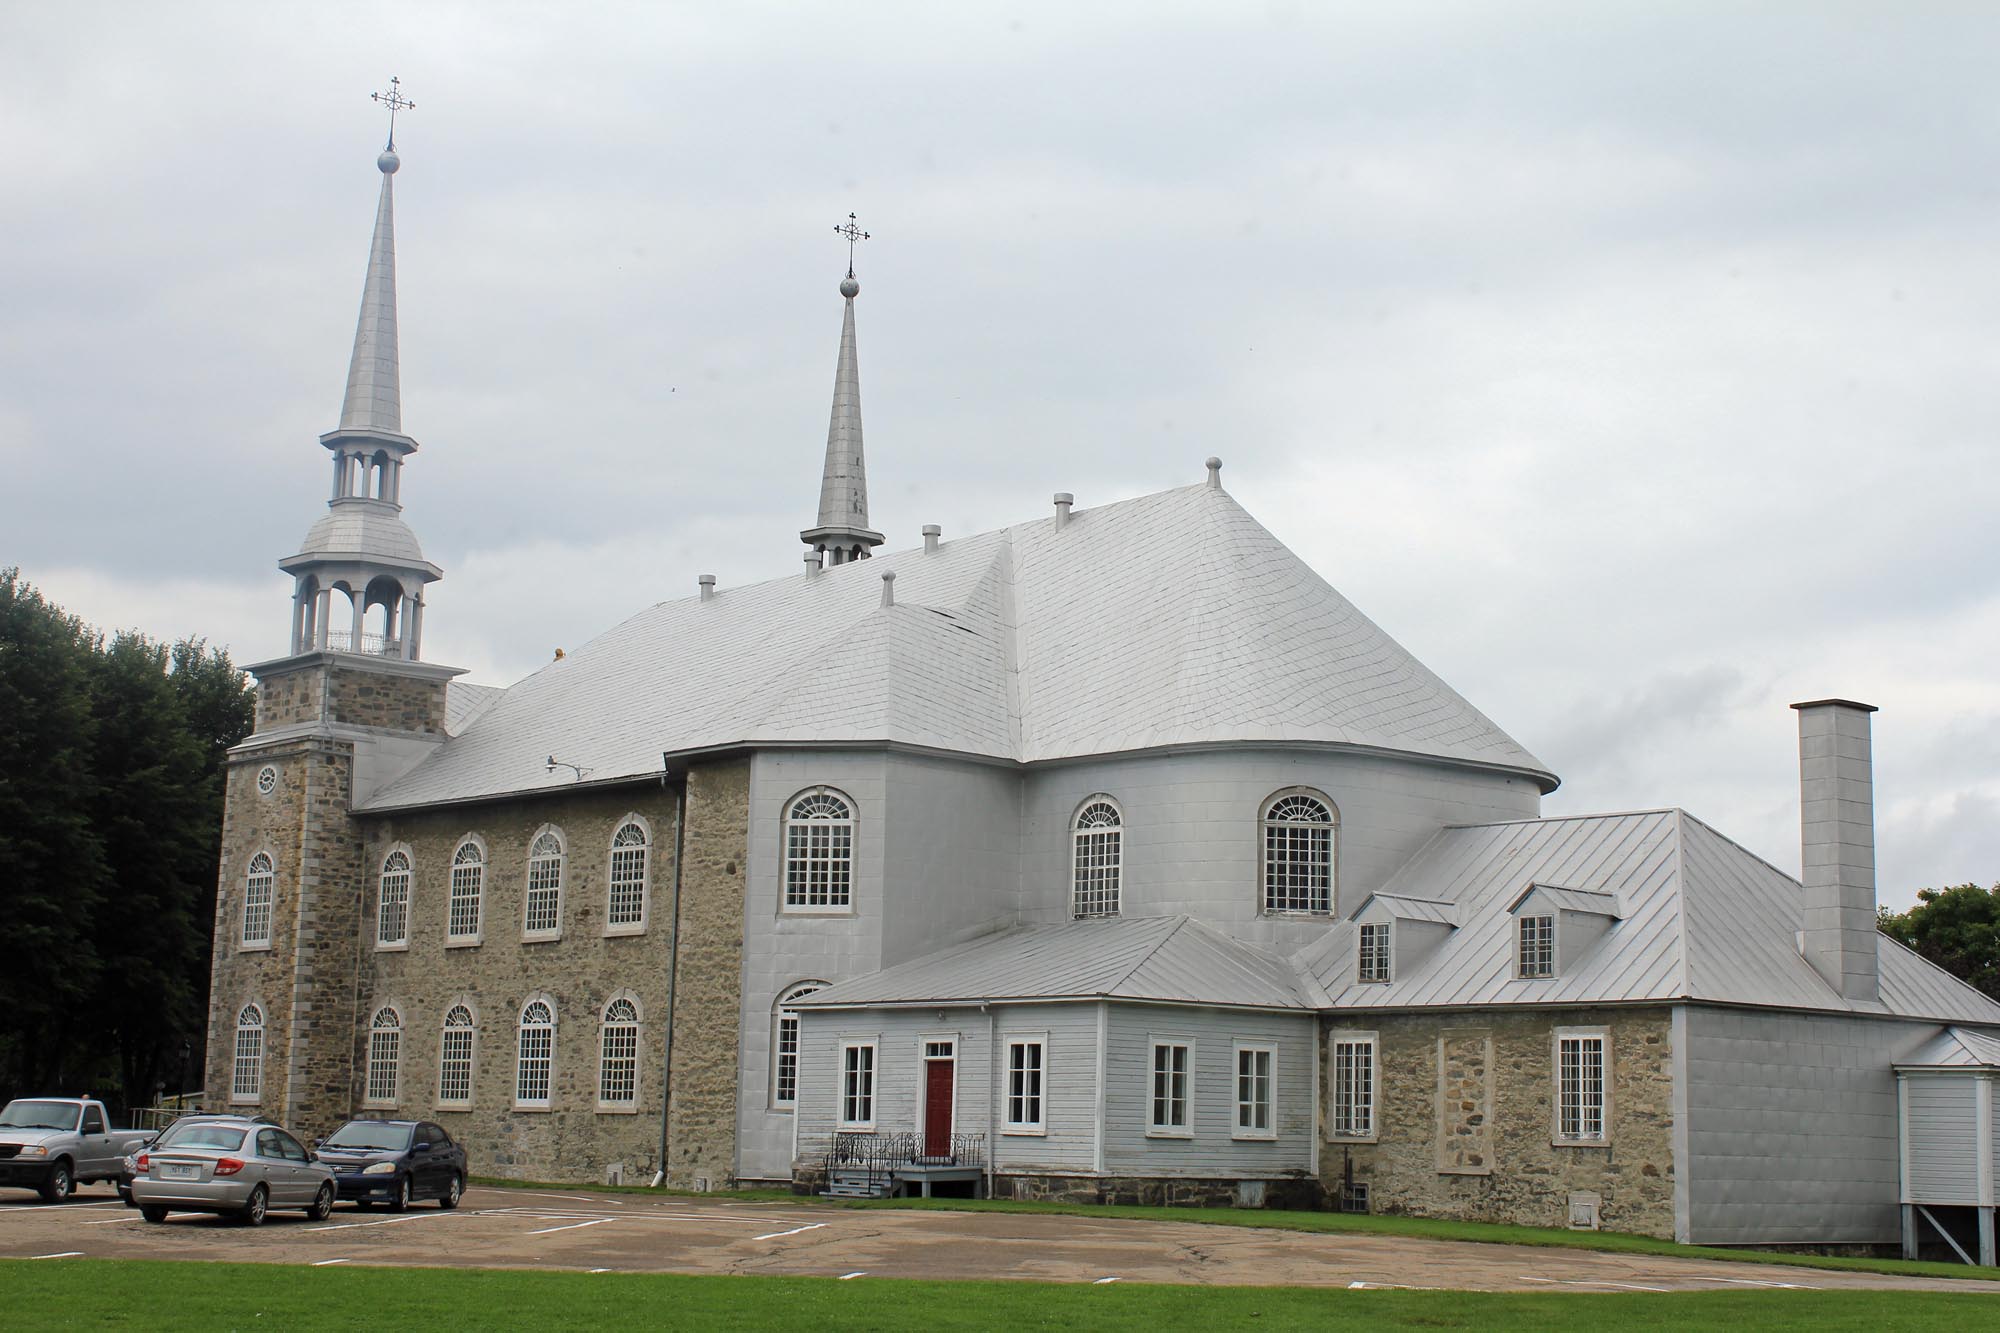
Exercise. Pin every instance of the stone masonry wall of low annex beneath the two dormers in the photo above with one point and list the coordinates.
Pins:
(1475, 1138)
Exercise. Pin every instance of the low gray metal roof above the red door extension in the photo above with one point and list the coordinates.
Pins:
(1171, 960)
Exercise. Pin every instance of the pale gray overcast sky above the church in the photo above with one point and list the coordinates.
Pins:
(1633, 365)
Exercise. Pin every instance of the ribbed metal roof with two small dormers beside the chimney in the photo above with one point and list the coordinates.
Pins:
(1703, 920)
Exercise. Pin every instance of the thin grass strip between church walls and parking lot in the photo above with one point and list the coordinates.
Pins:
(1425, 1228)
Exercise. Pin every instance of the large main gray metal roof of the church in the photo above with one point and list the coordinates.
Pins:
(1169, 619)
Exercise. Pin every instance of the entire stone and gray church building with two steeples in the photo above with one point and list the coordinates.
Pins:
(1073, 870)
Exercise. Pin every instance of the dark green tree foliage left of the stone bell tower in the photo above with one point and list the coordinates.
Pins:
(111, 814)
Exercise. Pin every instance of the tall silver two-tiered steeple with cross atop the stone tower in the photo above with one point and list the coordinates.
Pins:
(363, 547)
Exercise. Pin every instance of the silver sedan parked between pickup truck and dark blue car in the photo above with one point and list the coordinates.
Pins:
(231, 1166)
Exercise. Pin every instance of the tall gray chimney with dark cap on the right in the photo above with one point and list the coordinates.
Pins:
(1837, 844)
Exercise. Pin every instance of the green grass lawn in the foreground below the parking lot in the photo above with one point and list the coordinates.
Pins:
(257, 1296)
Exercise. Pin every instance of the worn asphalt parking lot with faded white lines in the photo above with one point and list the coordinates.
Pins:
(643, 1234)
